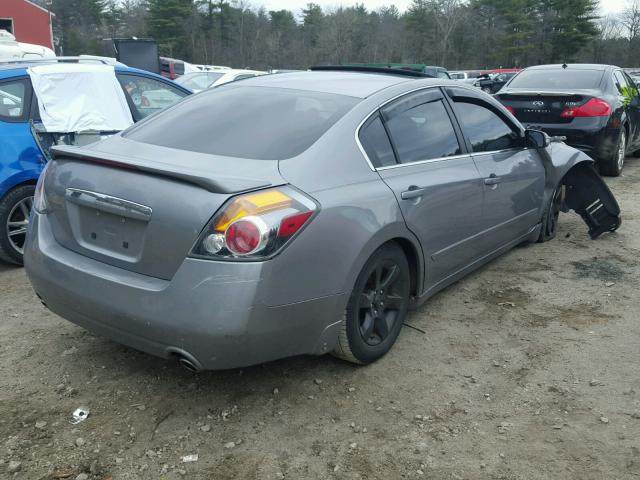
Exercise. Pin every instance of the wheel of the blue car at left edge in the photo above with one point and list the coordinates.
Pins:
(15, 208)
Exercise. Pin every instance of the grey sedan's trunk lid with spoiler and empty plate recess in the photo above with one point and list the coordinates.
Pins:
(141, 207)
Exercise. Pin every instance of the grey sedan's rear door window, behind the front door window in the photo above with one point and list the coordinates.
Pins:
(423, 132)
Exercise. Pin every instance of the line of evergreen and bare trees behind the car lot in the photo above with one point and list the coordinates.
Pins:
(457, 34)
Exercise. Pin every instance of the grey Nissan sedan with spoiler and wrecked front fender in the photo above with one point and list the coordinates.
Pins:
(300, 213)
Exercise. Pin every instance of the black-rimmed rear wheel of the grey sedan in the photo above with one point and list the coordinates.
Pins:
(377, 307)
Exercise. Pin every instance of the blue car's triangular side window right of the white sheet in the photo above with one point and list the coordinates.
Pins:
(148, 95)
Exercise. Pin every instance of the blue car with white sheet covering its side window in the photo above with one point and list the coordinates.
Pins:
(24, 140)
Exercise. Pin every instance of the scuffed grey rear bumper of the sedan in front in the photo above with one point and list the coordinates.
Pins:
(209, 310)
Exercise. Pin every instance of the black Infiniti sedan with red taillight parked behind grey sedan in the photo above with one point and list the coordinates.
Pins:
(596, 107)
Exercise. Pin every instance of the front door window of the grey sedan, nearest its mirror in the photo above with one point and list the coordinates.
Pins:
(485, 130)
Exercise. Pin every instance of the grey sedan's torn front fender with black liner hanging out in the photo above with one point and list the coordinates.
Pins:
(585, 191)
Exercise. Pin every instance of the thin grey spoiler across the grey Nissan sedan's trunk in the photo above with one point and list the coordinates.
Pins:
(220, 184)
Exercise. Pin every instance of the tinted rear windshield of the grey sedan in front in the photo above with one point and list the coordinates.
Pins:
(248, 122)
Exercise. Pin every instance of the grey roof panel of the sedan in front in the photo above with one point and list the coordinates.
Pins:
(353, 84)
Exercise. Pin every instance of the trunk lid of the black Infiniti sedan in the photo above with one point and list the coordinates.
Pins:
(543, 107)
